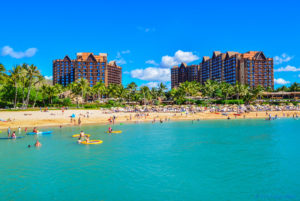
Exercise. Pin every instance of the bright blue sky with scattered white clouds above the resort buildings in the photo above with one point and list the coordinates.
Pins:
(147, 37)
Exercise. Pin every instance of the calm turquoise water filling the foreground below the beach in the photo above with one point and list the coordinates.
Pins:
(206, 160)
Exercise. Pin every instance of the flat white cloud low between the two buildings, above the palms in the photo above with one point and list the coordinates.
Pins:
(152, 74)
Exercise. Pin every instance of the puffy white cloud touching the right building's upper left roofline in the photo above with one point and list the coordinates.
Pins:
(179, 57)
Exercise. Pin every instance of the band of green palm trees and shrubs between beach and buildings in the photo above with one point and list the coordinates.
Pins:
(24, 87)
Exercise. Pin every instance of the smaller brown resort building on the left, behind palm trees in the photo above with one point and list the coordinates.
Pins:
(94, 68)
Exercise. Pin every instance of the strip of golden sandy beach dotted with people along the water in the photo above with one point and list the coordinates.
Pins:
(58, 118)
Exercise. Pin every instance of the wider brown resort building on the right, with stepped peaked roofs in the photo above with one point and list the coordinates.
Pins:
(252, 68)
